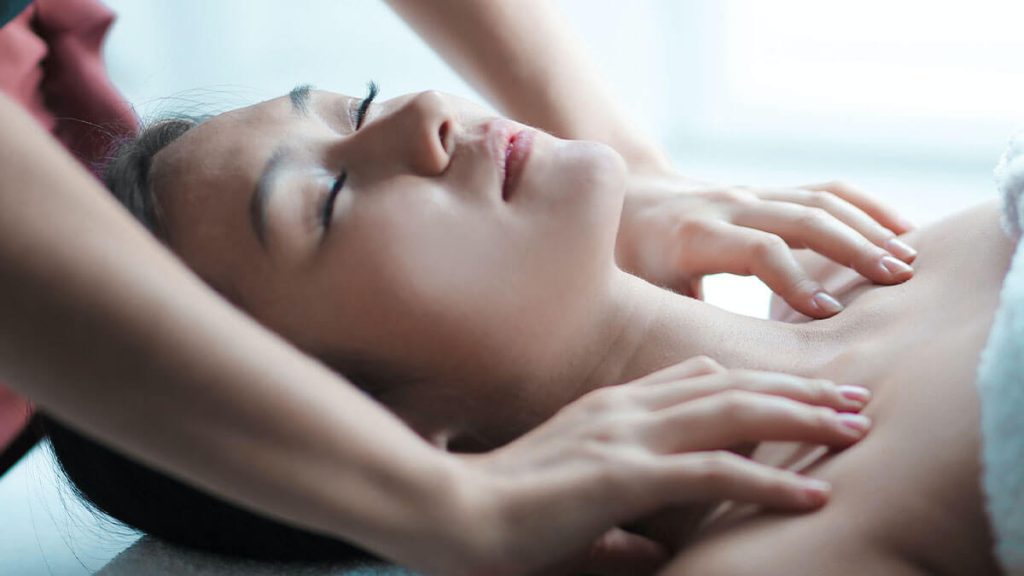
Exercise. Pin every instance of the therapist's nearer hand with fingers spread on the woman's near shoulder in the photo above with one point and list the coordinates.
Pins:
(621, 454)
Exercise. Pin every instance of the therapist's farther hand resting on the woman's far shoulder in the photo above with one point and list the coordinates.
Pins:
(675, 231)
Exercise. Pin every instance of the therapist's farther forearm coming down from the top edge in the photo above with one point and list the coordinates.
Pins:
(523, 56)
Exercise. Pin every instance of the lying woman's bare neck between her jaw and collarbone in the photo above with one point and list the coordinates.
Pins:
(654, 328)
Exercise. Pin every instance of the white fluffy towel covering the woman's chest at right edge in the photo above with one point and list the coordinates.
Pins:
(1001, 383)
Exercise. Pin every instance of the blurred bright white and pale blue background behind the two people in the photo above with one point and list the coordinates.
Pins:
(912, 101)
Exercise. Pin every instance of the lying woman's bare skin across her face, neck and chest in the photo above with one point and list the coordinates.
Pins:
(620, 327)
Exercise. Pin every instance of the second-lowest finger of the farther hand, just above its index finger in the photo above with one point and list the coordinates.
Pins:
(822, 232)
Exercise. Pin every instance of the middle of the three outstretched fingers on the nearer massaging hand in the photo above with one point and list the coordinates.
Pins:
(734, 418)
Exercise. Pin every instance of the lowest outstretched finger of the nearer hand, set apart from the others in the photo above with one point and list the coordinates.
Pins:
(705, 477)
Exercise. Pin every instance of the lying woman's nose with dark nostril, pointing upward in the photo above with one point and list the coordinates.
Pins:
(419, 135)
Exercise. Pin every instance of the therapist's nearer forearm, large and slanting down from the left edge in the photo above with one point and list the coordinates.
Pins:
(107, 331)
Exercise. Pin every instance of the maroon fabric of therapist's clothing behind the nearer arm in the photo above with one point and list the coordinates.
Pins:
(51, 63)
